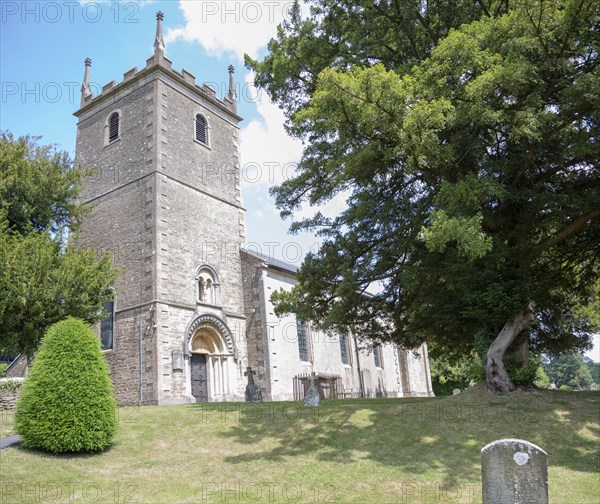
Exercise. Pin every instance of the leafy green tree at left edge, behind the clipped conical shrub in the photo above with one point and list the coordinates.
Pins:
(42, 279)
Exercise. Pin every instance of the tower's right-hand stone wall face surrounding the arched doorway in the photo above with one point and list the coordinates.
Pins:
(200, 221)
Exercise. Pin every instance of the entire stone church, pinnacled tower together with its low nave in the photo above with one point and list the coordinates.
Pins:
(192, 308)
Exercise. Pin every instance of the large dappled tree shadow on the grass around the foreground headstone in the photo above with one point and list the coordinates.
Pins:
(419, 436)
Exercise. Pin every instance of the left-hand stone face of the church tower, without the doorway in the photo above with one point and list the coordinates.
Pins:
(122, 195)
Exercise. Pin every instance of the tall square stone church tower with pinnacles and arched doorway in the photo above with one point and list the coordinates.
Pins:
(166, 202)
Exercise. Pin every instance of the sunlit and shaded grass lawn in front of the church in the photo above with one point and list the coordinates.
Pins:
(355, 450)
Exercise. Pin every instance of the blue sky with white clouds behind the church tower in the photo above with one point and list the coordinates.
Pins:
(43, 45)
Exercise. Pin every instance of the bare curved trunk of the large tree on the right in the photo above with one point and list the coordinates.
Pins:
(498, 381)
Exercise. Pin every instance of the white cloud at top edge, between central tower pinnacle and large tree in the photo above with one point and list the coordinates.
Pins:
(230, 26)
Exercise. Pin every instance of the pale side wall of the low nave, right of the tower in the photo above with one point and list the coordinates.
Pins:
(274, 354)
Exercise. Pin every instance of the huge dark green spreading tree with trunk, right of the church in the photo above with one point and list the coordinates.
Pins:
(465, 138)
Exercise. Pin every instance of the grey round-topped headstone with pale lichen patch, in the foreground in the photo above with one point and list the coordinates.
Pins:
(514, 471)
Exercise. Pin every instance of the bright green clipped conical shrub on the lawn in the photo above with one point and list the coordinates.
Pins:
(67, 402)
